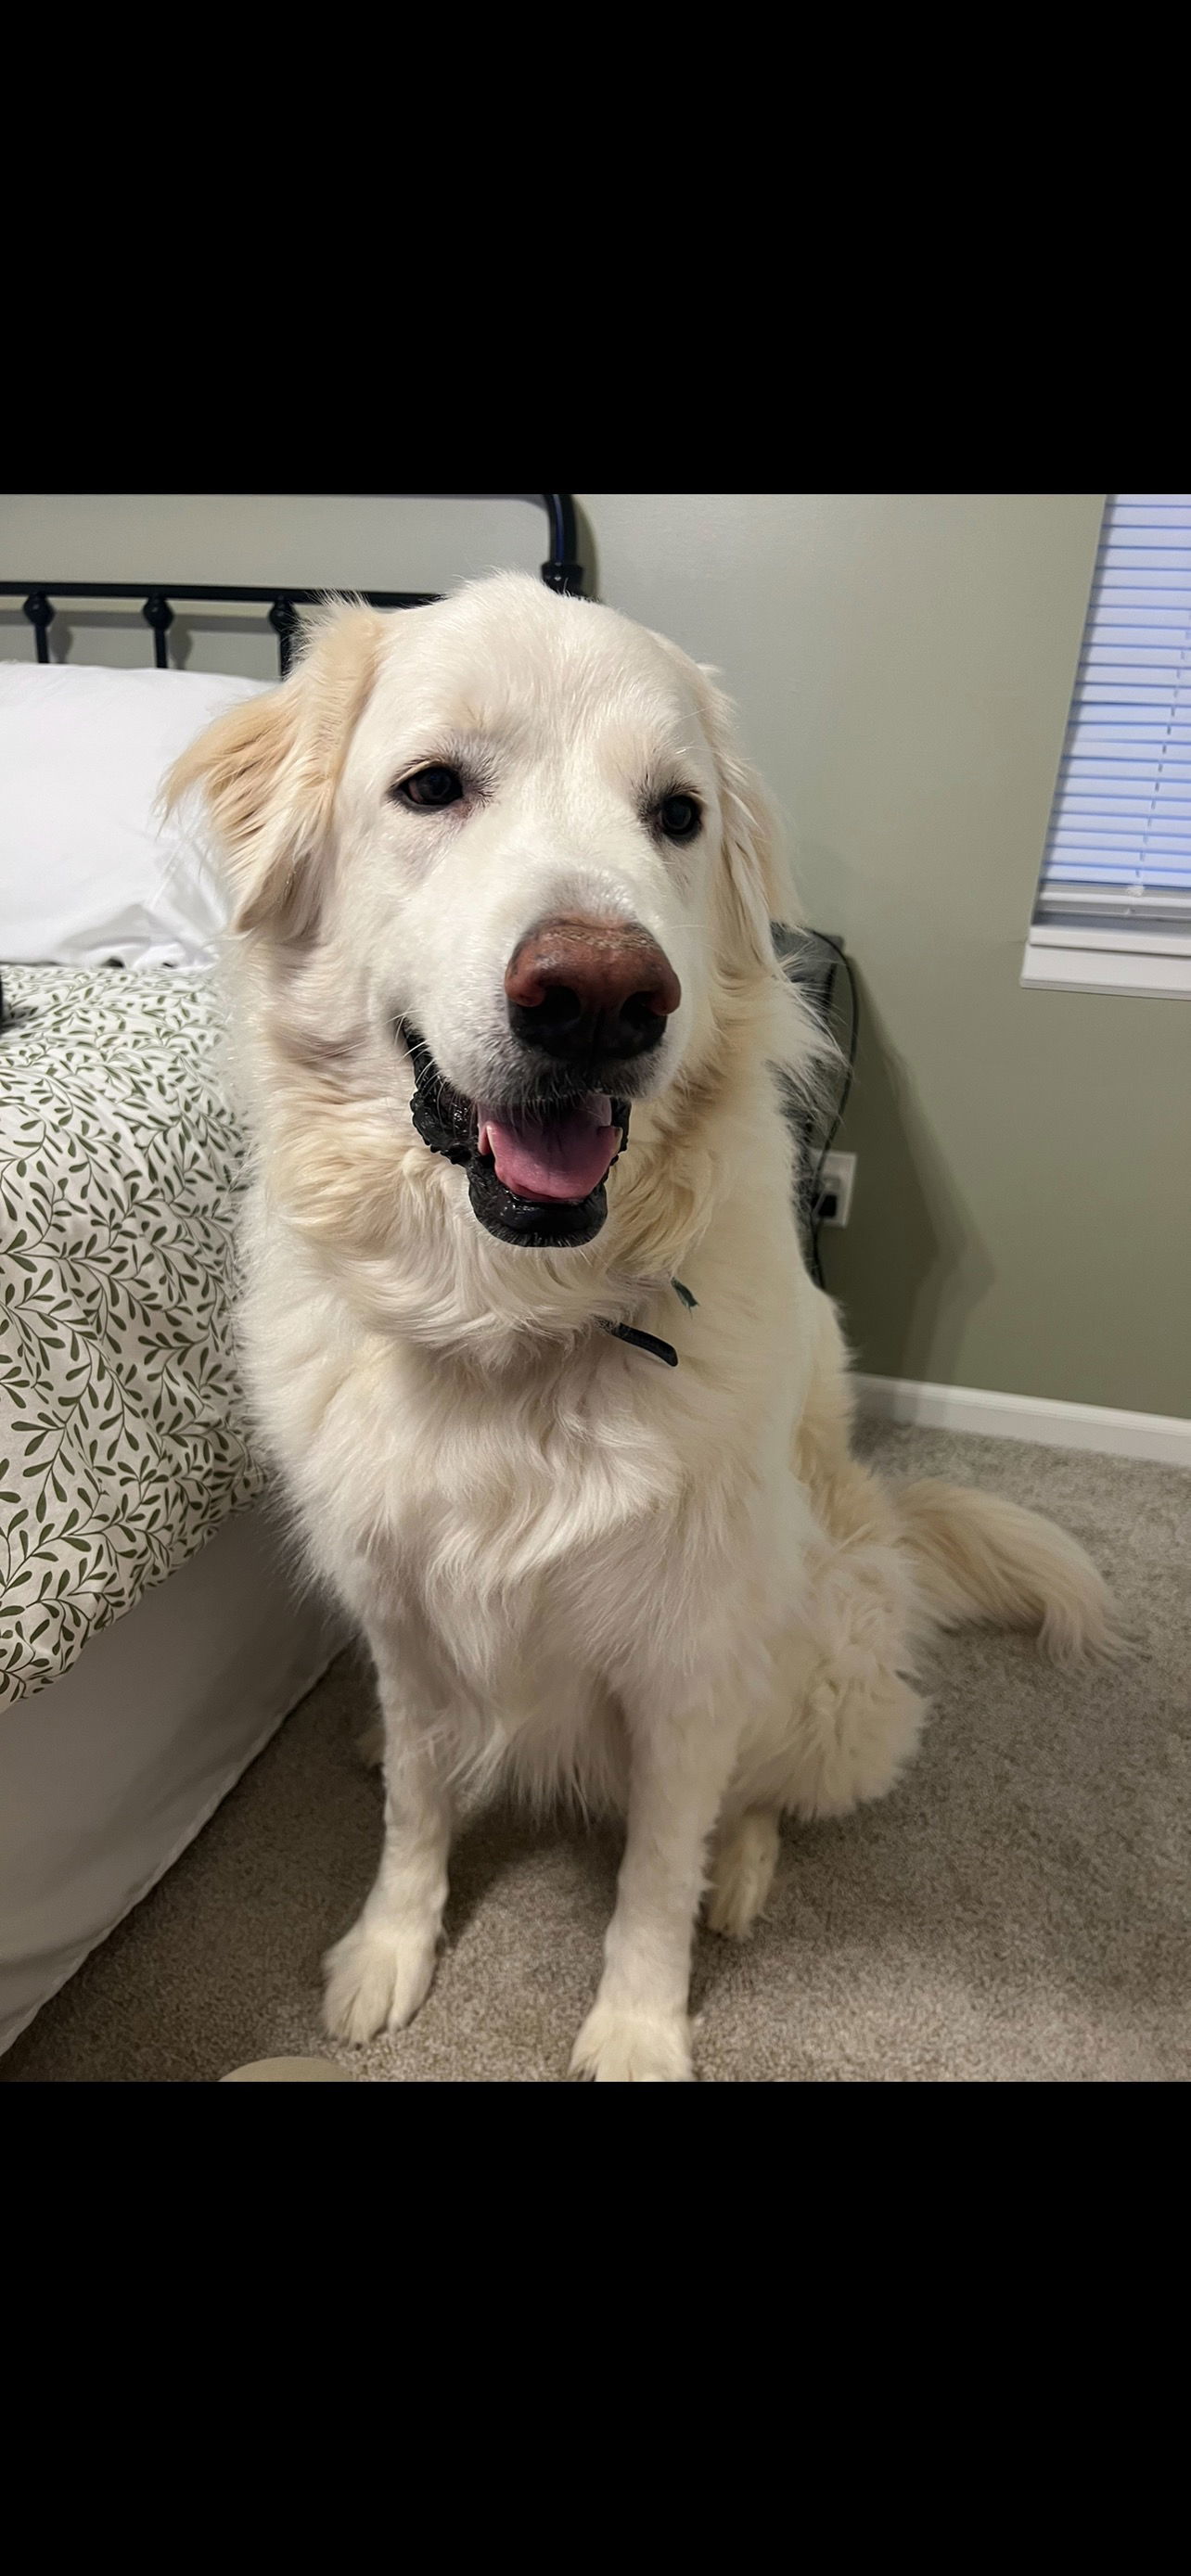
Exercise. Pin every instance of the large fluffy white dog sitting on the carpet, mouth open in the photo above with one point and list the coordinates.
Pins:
(501, 880)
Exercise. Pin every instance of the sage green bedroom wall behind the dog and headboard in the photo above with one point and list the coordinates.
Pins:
(904, 668)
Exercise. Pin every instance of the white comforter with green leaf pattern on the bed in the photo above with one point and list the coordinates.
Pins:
(122, 1421)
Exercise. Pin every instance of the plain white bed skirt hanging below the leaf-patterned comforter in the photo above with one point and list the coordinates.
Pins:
(112, 1771)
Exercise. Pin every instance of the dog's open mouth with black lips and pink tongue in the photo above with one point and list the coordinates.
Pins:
(535, 1173)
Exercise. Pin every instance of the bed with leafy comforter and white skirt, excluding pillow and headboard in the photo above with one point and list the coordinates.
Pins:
(151, 1632)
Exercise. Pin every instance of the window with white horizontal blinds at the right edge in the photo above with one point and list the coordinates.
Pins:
(1115, 893)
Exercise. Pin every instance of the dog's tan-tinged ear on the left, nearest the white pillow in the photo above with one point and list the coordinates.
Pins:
(269, 772)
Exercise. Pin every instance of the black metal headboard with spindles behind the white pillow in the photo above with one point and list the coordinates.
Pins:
(40, 599)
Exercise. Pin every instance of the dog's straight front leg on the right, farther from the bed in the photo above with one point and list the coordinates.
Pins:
(679, 1771)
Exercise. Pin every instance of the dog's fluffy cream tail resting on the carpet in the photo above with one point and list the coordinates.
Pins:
(986, 1560)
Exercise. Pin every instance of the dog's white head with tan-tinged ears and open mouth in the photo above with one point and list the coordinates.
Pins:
(512, 838)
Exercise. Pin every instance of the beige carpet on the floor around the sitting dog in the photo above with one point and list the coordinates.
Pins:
(1014, 1913)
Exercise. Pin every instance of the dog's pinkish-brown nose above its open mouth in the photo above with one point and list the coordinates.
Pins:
(589, 993)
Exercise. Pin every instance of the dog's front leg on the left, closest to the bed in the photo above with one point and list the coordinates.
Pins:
(383, 1969)
